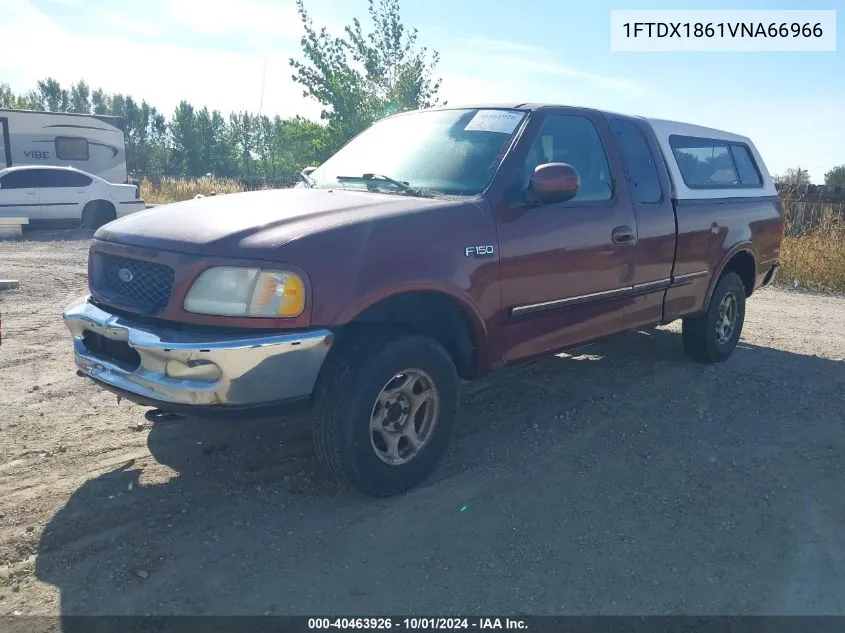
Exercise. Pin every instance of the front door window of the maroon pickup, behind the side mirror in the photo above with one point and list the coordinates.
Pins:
(573, 140)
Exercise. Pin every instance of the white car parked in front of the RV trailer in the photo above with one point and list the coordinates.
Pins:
(64, 193)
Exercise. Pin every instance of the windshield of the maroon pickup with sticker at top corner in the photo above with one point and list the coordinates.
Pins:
(448, 152)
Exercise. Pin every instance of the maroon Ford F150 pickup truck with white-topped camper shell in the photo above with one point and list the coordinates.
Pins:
(438, 245)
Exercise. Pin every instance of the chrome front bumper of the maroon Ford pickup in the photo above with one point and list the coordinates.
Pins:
(189, 369)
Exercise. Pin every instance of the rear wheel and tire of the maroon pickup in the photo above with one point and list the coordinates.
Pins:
(712, 336)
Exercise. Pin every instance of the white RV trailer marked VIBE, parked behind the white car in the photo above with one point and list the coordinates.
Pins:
(91, 142)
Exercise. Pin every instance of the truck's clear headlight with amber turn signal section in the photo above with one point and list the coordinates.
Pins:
(252, 292)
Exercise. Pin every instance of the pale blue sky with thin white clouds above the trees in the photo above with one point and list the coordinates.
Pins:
(214, 53)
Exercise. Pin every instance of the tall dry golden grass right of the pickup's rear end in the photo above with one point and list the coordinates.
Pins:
(815, 260)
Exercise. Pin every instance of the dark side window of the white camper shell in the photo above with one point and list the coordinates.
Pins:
(708, 163)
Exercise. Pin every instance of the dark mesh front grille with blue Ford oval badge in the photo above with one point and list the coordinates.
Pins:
(132, 282)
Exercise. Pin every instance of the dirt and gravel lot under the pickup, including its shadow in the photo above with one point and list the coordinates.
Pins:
(625, 480)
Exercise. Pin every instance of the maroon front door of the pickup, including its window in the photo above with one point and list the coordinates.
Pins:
(566, 269)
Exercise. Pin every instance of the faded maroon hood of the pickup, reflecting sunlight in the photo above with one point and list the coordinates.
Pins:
(254, 223)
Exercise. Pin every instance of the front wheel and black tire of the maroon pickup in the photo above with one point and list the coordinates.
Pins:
(384, 410)
